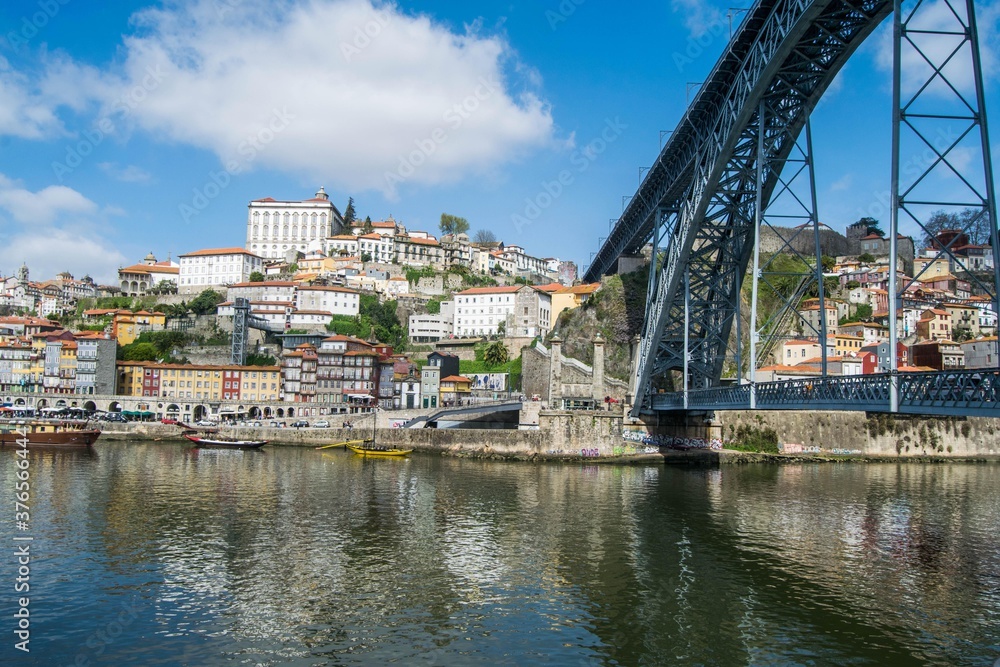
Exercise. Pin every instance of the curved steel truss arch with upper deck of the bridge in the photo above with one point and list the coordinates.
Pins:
(705, 195)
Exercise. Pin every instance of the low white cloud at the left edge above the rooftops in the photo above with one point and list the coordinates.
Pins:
(55, 229)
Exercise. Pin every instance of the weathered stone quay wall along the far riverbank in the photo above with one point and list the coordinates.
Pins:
(576, 435)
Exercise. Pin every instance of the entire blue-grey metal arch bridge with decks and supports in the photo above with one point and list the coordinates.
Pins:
(705, 195)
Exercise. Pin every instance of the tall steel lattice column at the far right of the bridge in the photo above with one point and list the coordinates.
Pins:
(936, 113)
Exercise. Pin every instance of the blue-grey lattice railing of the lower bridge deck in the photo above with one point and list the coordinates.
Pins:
(965, 392)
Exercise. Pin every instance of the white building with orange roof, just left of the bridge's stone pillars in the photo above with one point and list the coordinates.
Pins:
(524, 311)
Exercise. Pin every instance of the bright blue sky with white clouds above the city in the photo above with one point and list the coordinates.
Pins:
(132, 127)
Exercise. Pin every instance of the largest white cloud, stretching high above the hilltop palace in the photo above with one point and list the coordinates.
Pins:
(339, 90)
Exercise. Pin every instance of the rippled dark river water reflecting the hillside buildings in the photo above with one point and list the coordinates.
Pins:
(159, 554)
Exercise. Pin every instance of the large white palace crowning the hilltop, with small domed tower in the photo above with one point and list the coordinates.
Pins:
(276, 227)
